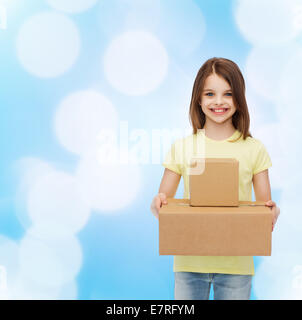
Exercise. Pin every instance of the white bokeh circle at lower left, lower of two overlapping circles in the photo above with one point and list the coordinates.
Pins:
(49, 260)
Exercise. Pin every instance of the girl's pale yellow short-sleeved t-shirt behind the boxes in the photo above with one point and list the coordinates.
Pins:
(253, 158)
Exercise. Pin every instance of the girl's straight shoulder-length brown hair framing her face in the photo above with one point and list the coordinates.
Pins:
(228, 70)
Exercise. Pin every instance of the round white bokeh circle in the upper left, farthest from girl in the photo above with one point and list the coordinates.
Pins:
(48, 44)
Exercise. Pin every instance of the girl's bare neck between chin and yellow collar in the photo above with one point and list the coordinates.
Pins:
(219, 131)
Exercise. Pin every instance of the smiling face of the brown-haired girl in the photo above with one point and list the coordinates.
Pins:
(216, 99)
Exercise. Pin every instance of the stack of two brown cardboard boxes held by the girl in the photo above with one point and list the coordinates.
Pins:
(213, 222)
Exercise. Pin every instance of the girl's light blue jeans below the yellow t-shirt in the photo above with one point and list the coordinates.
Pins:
(196, 286)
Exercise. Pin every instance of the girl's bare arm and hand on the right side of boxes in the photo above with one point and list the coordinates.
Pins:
(262, 191)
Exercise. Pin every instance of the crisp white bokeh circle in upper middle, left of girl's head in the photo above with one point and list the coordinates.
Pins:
(135, 63)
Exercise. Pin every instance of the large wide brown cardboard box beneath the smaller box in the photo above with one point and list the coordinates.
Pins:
(245, 230)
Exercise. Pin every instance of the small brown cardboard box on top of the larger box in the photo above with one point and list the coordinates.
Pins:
(215, 183)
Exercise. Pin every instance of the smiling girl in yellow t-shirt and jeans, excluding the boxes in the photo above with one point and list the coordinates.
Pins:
(218, 106)
